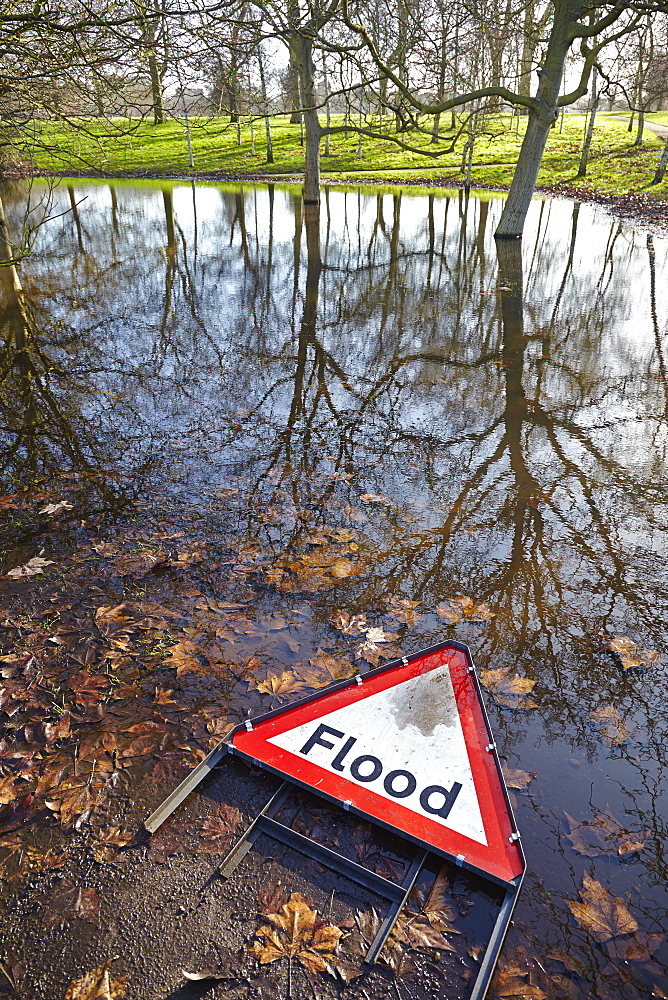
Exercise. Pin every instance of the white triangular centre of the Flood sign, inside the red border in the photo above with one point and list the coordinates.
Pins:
(412, 727)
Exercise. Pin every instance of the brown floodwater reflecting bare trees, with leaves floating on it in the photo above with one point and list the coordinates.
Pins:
(471, 419)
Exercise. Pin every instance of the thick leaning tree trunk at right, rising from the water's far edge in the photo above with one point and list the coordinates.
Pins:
(542, 116)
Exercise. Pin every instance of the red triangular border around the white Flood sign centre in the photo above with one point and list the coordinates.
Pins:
(502, 858)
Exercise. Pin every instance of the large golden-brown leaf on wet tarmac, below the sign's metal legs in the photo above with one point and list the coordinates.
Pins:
(296, 931)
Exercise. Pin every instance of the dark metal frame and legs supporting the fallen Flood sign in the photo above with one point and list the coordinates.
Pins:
(265, 823)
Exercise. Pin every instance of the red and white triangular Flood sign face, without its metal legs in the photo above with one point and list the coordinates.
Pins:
(408, 746)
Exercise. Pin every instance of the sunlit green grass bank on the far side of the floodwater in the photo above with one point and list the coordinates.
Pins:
(123, 146)
